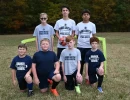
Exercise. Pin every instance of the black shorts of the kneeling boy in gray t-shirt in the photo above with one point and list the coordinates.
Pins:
(71, 79)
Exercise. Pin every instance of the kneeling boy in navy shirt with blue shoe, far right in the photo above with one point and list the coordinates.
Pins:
(94, 59)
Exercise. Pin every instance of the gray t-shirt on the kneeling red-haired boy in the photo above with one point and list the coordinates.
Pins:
(70, 59)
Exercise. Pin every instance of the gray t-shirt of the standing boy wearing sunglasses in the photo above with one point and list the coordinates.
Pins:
(41, 32)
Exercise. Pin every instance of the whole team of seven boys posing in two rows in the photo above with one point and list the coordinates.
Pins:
(45, 67)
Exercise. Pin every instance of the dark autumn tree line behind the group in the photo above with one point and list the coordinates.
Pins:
(23, 15)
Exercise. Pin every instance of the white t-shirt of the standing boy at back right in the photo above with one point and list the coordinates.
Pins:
(85, 32)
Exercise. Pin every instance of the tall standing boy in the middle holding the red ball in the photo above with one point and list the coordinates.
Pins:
(64, 27)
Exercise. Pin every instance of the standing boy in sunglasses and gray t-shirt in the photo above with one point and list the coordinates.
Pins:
(43, 30)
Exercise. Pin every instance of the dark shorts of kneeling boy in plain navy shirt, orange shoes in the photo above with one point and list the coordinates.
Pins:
(43, 80)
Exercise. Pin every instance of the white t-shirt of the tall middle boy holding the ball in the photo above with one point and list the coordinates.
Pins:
(65, 28)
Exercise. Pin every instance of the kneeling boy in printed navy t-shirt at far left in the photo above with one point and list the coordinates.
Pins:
(21, 68)
